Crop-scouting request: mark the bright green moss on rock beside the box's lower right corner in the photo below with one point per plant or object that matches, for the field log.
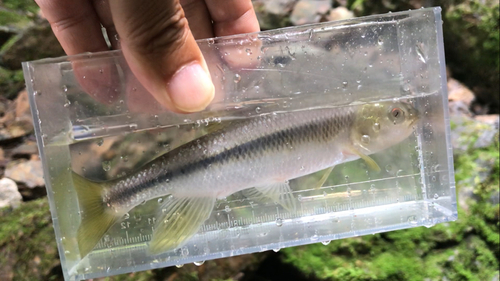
(467, 249)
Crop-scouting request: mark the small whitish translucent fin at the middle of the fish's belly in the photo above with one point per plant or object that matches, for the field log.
(278, 192)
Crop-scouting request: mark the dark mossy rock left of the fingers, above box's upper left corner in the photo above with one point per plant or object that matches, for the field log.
(35, 42)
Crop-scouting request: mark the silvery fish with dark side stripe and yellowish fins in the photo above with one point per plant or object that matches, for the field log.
(257, 155)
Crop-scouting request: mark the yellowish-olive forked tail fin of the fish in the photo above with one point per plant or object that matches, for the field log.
(97, 217)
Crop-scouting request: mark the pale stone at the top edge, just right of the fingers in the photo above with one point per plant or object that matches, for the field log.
(309, 11)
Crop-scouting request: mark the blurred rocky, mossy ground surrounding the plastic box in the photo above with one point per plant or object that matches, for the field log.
(467, 249)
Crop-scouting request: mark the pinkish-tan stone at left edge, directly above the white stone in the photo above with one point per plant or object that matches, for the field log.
(30, 172)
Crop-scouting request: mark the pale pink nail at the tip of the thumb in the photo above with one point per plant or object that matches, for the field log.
(191, 88)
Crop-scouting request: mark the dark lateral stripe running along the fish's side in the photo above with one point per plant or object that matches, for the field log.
(310, 132)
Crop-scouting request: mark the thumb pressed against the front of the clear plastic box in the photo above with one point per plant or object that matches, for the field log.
(162, 53)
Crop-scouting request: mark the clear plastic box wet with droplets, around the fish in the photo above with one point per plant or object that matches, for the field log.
(88, 107)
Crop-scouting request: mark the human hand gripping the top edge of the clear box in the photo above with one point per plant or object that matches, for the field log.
(157, 39)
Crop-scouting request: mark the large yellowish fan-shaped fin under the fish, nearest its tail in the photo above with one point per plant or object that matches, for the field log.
(178, 220)
